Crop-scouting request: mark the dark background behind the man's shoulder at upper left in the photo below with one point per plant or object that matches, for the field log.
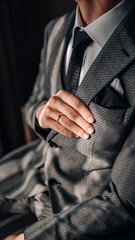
(22, 23)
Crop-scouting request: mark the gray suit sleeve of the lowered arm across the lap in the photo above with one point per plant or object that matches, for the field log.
(101, 216)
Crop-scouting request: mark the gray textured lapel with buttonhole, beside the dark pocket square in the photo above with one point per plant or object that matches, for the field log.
(115, 56)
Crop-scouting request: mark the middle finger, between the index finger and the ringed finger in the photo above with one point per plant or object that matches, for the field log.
(70, 113)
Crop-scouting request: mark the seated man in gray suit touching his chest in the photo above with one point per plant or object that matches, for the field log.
(81, 182)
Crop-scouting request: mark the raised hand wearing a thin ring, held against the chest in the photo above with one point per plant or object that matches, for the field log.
(75, 117)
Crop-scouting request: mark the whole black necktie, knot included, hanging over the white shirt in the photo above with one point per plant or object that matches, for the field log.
(80, 43)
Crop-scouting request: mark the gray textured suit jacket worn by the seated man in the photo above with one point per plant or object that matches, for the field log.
(91, 183)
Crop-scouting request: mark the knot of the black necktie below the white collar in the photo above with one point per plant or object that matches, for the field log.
(81, 39)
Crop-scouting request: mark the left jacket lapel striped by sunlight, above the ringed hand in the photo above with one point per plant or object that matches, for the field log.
(58, 48)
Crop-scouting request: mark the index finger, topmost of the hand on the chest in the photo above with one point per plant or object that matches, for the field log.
(77, 104)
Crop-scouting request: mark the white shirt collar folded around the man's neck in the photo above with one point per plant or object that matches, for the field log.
(102, 28)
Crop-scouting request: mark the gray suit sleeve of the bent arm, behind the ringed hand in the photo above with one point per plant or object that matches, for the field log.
(41, 91)
